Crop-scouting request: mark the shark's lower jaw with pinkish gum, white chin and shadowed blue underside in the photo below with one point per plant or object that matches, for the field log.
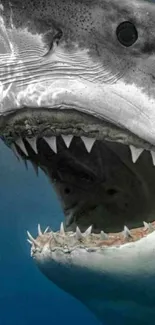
(114, 282)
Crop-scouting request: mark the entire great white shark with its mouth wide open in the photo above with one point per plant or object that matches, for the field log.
(77, 99)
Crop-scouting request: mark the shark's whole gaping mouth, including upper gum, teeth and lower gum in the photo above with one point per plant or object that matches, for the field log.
(104, 176)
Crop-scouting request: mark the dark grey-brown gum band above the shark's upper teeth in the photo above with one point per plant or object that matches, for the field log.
(64, 119)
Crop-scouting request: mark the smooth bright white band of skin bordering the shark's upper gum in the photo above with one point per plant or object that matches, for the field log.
(126, 110)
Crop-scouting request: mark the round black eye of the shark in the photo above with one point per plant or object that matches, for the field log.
(127, 33)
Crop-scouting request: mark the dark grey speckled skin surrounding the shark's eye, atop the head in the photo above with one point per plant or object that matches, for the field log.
(91, 25)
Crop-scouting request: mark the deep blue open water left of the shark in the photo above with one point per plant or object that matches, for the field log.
(26, 296)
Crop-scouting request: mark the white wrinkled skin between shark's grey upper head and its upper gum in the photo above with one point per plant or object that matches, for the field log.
(44, 82)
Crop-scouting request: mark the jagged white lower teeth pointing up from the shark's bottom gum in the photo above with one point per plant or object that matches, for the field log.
(78, 235)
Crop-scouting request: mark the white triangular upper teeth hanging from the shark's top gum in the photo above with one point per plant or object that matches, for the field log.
(88, 142)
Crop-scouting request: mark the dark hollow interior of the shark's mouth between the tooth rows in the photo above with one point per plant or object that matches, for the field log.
(103, 188)
